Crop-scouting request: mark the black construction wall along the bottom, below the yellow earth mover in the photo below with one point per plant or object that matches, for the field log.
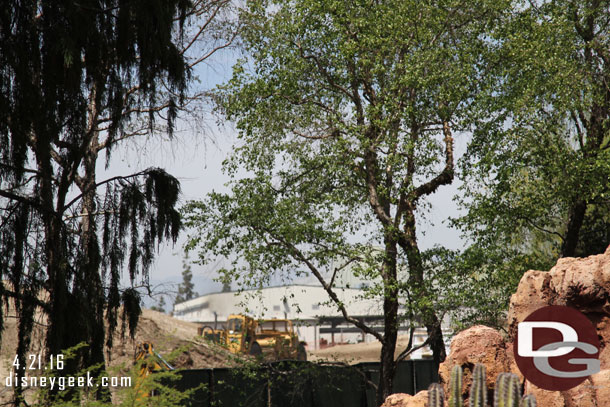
(300, 384)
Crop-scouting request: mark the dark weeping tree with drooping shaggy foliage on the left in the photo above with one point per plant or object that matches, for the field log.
(76, 79)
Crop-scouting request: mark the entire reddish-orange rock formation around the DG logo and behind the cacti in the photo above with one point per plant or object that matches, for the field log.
(583, 284)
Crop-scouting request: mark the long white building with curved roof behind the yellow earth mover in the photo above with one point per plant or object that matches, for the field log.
(319, 322)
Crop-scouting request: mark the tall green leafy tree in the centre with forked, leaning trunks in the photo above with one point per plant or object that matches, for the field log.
(347, 120)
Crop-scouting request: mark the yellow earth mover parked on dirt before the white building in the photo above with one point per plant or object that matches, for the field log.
(271, 338)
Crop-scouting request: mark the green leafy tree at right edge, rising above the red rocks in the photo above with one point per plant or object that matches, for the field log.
(538, 169)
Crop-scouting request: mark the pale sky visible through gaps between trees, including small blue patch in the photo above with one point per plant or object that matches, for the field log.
(195, 157)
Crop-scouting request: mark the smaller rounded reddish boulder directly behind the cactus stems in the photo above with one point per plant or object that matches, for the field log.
(478, 344)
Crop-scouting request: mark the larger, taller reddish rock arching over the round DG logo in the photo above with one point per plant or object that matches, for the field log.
(583, 284)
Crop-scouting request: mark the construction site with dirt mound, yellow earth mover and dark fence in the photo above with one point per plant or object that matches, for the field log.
(214, 361)
